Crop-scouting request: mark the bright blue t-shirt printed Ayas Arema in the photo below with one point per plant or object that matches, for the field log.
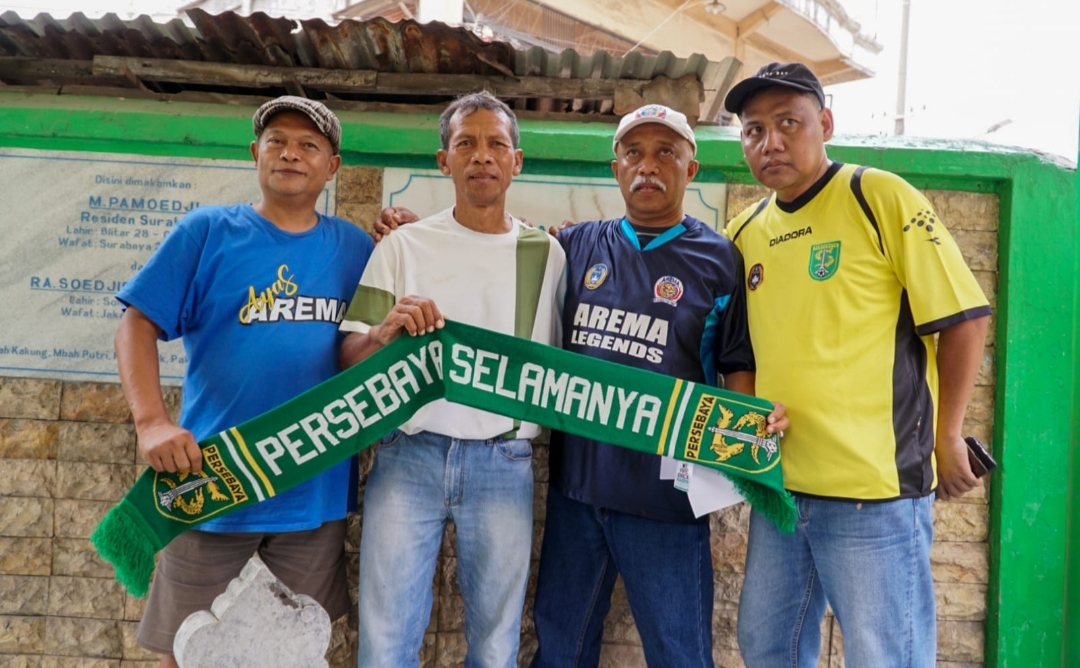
(259, 310)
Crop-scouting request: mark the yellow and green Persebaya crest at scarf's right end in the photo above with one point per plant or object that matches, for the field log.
(713, 428)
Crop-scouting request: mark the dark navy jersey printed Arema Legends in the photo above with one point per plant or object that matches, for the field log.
(677, 307)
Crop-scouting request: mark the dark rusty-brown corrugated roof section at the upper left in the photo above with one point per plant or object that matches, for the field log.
(255, 40)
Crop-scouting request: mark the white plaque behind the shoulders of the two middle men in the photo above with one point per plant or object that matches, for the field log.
(545, 200)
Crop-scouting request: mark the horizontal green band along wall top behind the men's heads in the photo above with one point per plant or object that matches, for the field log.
(64, 122)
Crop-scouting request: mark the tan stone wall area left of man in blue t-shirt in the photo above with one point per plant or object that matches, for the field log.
(69, 454)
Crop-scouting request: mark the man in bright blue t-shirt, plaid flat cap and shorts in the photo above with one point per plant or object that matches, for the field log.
(256, 292)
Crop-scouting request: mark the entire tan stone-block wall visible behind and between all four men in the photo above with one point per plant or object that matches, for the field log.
(67, 453)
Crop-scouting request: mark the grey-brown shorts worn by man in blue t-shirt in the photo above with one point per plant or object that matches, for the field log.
(198, 566)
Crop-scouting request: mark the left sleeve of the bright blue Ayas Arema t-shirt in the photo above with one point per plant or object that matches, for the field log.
(165, 289)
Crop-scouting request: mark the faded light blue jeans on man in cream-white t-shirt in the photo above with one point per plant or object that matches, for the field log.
(417, 484)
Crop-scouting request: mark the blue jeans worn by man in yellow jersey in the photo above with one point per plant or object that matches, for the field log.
(871, 562)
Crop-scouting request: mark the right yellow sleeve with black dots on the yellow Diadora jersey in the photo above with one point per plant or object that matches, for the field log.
(941, 289)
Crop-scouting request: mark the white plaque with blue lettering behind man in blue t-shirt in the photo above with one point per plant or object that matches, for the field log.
(75, 228)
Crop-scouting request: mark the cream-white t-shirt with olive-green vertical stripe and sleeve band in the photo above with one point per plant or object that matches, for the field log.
(478, 279)
